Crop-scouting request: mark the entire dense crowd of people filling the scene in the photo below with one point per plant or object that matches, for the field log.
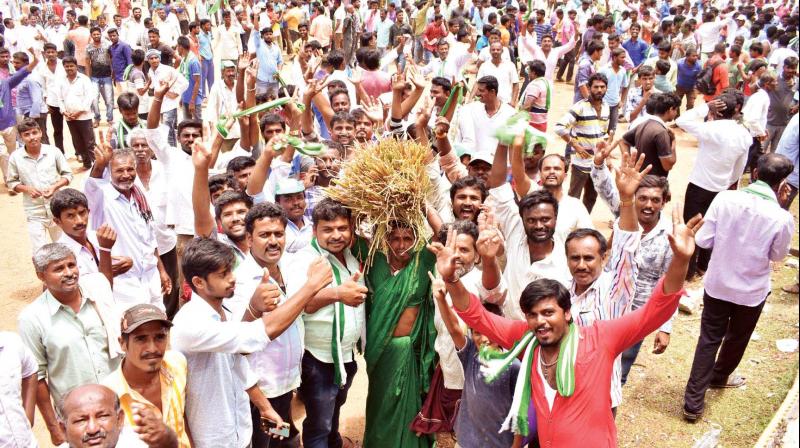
(198, 279)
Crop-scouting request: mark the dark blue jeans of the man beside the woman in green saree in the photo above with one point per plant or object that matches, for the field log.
(323, 399)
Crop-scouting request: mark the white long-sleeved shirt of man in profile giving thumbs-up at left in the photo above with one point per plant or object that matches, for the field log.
(218, 372)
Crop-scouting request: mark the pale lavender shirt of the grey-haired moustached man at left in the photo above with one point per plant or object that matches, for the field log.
(135, 236)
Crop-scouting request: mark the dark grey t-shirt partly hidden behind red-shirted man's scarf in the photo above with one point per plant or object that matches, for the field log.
(483, 406)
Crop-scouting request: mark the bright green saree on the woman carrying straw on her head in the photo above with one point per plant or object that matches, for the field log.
(399, 368)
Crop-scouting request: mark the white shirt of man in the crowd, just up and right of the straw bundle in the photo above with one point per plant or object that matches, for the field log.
(477, 128)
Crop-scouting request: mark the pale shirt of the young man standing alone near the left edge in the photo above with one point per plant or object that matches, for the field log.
(40, 173)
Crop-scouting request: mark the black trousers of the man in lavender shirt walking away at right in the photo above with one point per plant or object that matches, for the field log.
(726, 324)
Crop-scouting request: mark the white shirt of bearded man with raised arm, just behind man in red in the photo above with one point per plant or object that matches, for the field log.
(519, 273)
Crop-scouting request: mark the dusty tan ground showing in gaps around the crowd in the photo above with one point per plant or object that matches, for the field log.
(650, 416)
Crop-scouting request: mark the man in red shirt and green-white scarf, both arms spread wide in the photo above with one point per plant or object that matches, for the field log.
(581, 411)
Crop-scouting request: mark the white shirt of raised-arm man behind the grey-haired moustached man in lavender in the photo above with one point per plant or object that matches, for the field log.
(179, 172)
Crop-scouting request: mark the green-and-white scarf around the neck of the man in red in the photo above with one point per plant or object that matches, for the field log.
(498, 362)
